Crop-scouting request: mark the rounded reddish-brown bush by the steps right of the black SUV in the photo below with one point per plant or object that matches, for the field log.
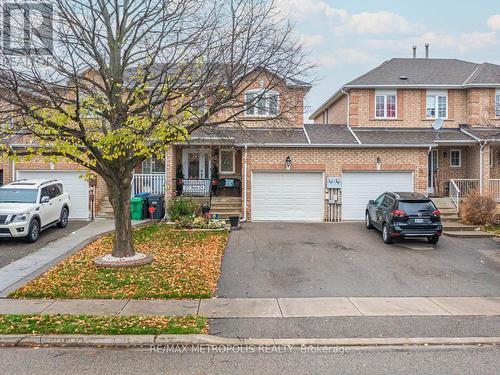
(478, 210)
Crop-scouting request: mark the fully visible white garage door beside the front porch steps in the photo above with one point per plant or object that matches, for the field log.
(282, 196)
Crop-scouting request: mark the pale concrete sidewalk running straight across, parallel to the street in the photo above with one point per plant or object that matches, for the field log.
(264, 307)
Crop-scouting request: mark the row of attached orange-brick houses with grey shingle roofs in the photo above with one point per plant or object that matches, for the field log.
(373, 135)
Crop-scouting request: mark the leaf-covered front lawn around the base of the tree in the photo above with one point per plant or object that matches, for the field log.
(186, 265)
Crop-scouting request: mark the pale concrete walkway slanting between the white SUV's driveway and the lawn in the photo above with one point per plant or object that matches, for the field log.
(23, 270)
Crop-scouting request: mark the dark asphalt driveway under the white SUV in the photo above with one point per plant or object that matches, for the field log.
(14, 249)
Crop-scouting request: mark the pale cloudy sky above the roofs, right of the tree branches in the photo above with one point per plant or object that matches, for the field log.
(348, 38)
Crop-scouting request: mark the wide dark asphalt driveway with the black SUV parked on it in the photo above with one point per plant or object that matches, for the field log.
(332, 260)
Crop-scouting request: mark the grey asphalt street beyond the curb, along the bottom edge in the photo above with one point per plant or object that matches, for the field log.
(450, 360)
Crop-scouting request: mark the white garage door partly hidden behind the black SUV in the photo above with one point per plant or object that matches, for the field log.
(359, 187)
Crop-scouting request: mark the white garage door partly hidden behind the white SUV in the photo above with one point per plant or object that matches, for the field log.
(77, 188)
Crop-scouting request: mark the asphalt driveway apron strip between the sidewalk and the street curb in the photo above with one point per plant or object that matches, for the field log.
(359, 326)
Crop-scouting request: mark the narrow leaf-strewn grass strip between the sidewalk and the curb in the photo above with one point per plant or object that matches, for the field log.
(100, 325)
